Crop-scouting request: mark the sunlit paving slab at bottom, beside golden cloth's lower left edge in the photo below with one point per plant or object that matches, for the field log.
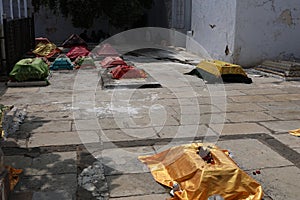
(134, 185)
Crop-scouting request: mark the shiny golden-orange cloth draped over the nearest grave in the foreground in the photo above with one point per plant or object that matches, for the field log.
(200, 180)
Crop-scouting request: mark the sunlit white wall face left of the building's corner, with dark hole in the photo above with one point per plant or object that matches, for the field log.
(213, 26)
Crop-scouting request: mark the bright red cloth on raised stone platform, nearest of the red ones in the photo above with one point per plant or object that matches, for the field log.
(124, 71)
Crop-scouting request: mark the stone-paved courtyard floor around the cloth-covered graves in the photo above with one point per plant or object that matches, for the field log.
(69, 128)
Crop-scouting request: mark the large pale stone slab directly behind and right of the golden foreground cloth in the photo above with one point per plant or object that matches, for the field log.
(250, 154)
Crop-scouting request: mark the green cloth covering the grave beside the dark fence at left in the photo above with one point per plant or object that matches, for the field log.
(30, 69)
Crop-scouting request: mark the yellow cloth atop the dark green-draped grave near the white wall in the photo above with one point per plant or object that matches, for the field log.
(219, 68)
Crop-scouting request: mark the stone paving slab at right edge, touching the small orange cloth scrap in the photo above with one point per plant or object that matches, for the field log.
(281, 126)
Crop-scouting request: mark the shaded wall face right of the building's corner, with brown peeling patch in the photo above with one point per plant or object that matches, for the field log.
(267, 29)
